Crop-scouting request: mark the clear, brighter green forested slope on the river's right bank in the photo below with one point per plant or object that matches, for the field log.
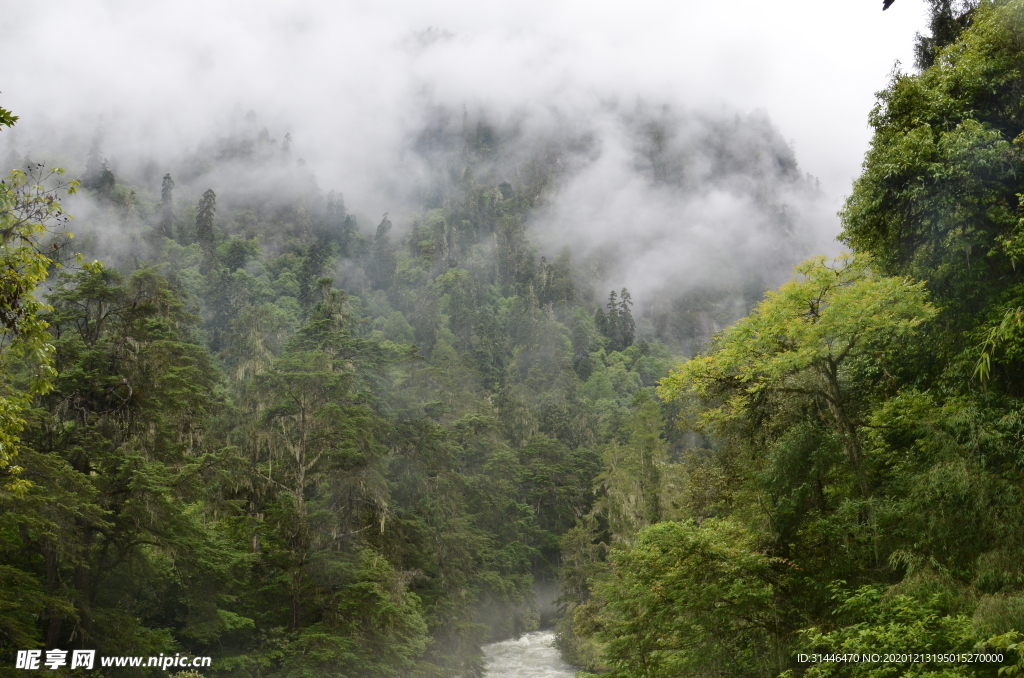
(863, 490)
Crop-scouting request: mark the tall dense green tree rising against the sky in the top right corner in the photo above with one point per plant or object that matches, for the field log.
(938, 200)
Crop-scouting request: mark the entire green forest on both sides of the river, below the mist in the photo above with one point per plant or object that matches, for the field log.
(242, 419)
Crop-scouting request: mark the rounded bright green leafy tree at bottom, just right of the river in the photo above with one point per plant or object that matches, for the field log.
(690, 600)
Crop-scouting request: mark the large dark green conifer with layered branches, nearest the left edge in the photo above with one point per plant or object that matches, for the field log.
(122, 444)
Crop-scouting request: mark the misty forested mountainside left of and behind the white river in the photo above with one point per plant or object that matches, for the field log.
(261, 428)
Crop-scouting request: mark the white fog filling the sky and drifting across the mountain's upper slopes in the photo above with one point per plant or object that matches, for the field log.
(783, 90)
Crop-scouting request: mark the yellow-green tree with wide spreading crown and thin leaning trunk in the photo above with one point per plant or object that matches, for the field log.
(838, 319)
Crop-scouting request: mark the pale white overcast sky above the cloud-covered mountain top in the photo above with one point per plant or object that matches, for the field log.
(342, 76)
